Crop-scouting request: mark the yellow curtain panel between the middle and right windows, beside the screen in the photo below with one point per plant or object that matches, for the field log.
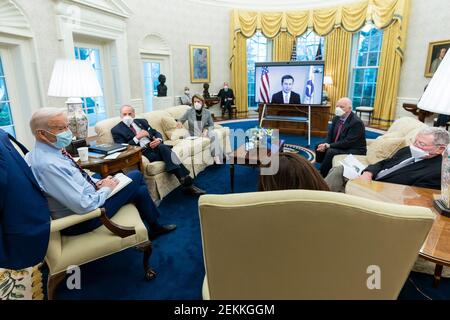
(337, 64)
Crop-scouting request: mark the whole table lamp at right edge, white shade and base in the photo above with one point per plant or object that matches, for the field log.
(436, 98)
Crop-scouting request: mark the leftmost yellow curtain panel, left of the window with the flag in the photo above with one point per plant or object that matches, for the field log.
(239, 75)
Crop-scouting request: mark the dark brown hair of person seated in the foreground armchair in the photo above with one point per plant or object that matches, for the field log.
(295, 172)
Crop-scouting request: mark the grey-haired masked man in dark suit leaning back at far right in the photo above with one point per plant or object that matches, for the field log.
(418, 165)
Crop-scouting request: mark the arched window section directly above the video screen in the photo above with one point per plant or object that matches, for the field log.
(310, 47)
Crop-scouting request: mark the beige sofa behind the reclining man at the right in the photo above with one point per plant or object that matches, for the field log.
(401, 134)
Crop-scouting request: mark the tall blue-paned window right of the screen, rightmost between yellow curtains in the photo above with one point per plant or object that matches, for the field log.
(365, 62)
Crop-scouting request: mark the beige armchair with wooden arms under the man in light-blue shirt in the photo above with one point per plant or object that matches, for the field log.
(124, 230)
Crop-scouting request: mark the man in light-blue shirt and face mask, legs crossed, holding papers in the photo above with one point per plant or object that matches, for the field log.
(70, 190)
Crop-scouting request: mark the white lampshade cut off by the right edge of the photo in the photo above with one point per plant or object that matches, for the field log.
(436, 97)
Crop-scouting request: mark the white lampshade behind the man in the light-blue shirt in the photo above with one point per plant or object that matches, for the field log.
(74, 78)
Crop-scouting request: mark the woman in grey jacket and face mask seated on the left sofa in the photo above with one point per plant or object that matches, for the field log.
(201, 124)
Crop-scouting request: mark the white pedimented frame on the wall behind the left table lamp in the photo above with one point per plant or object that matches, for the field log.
(102, 22)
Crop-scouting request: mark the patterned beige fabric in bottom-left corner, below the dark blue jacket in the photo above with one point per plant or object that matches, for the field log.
(23, 284)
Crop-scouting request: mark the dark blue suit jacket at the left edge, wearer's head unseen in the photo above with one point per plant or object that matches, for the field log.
(24, 213)
